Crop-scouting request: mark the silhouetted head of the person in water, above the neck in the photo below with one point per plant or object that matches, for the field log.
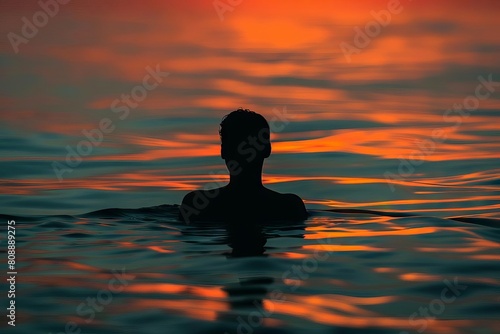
(245, 137)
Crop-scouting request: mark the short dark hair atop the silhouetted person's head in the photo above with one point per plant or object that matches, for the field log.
(237, 126)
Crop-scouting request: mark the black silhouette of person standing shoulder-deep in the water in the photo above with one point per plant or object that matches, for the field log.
(245, 143)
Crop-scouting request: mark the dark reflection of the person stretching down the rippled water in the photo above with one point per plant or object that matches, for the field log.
(253, 278)
